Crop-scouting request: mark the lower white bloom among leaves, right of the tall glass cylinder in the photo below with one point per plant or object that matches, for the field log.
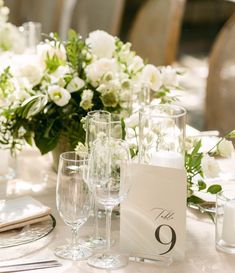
(210, 166)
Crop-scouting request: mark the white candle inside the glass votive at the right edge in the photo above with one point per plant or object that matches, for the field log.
(228, 230)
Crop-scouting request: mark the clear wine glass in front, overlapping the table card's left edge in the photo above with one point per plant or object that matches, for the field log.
(110, 179)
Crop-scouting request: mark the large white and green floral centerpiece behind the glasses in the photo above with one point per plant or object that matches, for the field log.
(47, 95)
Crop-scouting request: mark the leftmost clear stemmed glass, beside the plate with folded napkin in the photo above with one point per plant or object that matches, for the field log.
(74, 201)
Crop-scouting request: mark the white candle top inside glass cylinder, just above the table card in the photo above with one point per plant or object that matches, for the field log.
(167, 159)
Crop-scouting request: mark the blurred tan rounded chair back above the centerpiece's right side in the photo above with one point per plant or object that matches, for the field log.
(156, 29)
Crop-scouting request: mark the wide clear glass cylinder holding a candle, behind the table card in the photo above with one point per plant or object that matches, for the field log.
(162, 135)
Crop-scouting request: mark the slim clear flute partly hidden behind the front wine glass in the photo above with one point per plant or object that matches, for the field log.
(97, 126)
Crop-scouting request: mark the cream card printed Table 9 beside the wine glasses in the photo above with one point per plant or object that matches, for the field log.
(153, 217)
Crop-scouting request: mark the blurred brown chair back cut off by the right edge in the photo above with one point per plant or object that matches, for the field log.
(220, 96)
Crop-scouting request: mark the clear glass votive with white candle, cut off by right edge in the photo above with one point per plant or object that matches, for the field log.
(225, 221)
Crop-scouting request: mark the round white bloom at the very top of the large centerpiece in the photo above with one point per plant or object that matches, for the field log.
(101, 43)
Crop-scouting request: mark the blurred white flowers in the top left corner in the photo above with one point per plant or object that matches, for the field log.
(10, 37)
